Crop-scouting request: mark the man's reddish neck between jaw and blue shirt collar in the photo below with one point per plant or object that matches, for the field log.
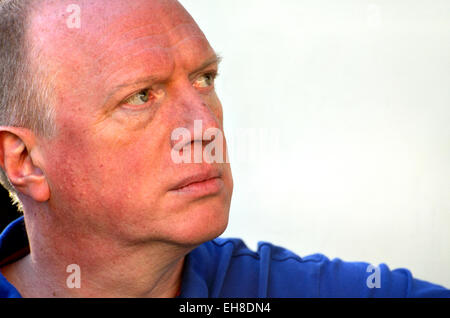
(107, 268)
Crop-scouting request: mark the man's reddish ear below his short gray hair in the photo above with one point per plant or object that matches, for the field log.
(18, 157)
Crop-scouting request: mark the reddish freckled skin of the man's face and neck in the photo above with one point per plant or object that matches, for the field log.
(109, 168)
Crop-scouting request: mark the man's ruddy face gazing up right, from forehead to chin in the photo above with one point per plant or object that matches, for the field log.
(133, 73)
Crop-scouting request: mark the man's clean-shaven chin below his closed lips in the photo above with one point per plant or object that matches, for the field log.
(186, 223)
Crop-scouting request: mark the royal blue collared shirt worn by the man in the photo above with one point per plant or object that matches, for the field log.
(227, 268)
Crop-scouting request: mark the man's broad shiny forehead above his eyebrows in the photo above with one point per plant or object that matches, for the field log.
(115, 34)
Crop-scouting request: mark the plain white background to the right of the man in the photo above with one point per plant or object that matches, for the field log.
(337, 115)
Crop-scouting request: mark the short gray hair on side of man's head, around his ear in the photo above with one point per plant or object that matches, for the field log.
(24, 98)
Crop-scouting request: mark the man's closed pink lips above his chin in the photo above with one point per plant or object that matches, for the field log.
(200, 184)
